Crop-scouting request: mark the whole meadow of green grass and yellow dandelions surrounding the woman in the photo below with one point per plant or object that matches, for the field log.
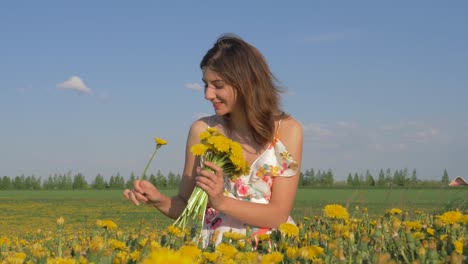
(333, 226)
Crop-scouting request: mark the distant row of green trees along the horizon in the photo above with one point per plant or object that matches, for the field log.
(308, 178)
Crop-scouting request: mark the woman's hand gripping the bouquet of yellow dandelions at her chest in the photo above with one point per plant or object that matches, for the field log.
(212, 184)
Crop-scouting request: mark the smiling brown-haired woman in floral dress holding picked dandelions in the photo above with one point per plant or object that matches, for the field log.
(245, 98)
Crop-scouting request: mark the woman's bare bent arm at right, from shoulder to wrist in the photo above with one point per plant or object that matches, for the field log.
(283, 190)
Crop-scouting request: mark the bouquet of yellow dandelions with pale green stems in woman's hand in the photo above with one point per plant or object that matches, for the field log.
(222, 151)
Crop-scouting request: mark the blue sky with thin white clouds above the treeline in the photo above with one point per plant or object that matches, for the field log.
(86, 85)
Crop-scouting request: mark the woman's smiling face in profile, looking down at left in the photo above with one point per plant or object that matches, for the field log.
(218, 92)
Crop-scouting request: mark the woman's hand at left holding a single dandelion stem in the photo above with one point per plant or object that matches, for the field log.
(143, 191)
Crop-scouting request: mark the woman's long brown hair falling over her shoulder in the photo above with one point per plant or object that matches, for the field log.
(244, 68)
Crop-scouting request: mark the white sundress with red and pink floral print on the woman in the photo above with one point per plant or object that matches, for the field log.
(275, 161)
